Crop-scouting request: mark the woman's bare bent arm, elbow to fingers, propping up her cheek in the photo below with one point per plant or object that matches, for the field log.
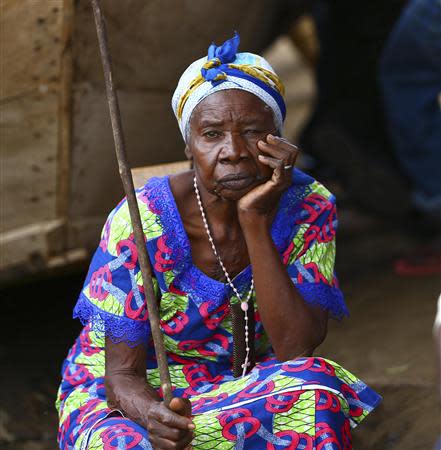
(294, 327)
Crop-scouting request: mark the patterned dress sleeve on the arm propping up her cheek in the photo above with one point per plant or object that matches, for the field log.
(310, 255)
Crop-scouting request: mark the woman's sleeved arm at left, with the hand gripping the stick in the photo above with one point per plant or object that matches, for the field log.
(125, 365)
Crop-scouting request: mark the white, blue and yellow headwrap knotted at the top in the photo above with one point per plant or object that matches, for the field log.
(223, 68)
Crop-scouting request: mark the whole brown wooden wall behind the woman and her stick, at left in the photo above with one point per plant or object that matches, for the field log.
(59, 177)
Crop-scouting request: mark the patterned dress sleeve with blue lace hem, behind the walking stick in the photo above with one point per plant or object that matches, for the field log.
(112, 300)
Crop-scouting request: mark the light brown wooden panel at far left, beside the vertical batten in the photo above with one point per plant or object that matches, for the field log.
(30, 62)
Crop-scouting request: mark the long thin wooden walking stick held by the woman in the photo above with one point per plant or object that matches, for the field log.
(127, 181)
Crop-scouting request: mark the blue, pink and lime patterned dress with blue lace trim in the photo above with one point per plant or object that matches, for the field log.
(306, 403)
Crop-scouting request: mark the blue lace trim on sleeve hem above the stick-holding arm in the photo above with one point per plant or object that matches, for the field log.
(117, 328)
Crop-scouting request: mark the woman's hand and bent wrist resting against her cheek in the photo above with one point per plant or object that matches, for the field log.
(279, 155)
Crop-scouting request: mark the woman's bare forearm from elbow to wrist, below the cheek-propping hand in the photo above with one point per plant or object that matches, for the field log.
(294, 327)
